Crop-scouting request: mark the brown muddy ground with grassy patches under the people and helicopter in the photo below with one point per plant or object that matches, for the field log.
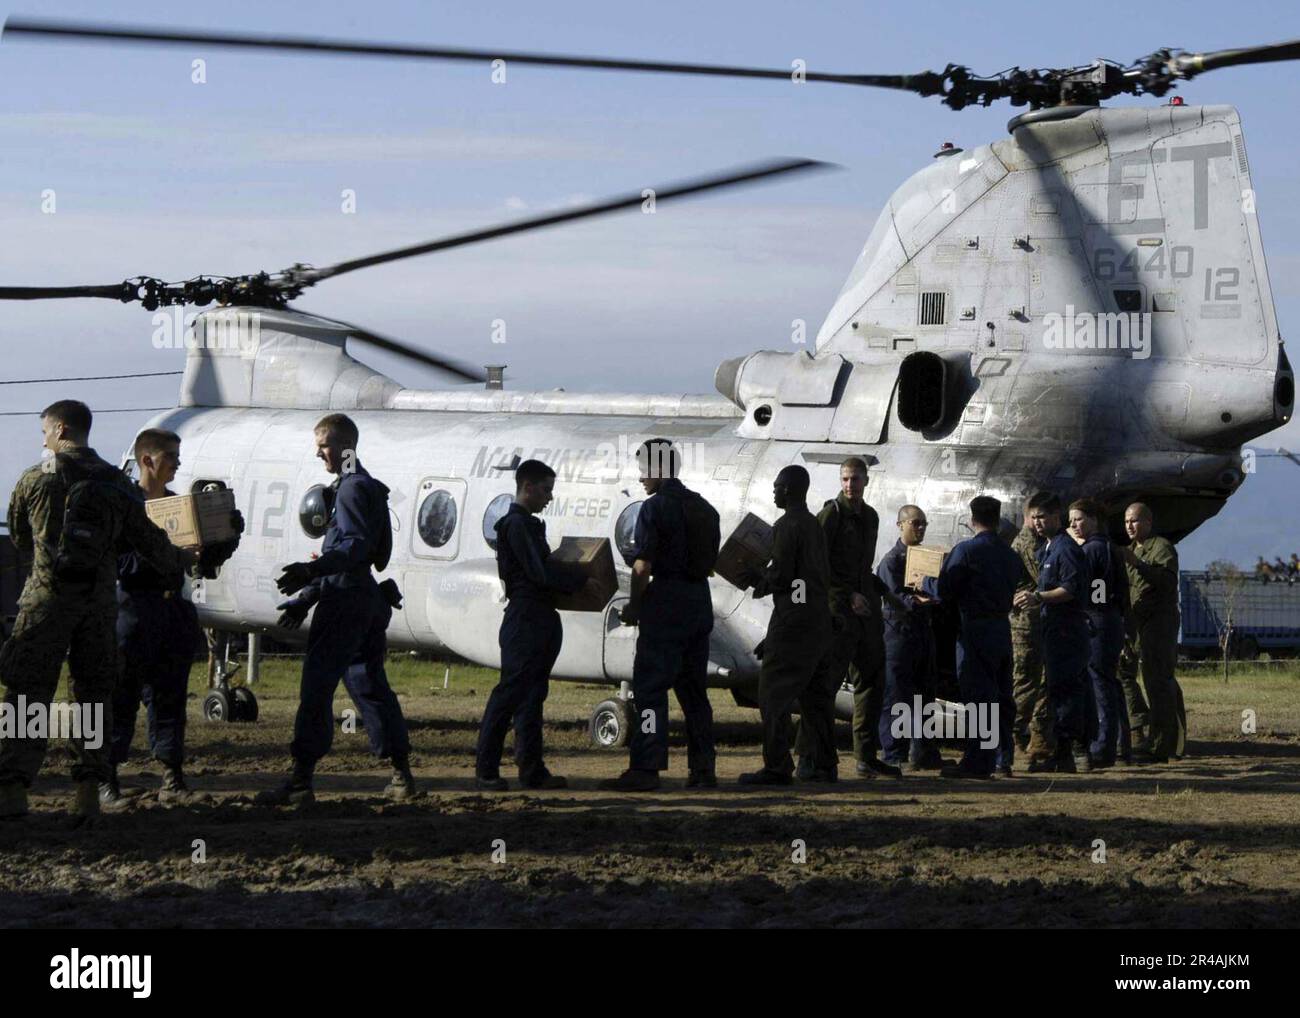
(1210, 842)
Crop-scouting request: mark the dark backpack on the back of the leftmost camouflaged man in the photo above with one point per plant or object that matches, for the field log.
(96, 508)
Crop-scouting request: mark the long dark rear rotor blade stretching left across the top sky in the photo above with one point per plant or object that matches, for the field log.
(51, 29)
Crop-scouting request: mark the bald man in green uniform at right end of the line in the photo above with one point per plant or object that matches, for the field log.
(1154, 590)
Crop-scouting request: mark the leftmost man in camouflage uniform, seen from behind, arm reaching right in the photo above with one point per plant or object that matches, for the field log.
(70, 614)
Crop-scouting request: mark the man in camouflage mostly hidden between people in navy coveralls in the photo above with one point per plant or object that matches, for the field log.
(1033, 712)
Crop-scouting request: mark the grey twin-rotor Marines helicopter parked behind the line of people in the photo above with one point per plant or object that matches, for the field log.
(1081, 306)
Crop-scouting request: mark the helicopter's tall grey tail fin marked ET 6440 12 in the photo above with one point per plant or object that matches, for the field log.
(1093, 241)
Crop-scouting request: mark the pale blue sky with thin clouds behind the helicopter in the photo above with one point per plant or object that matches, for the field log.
(155, 175)
